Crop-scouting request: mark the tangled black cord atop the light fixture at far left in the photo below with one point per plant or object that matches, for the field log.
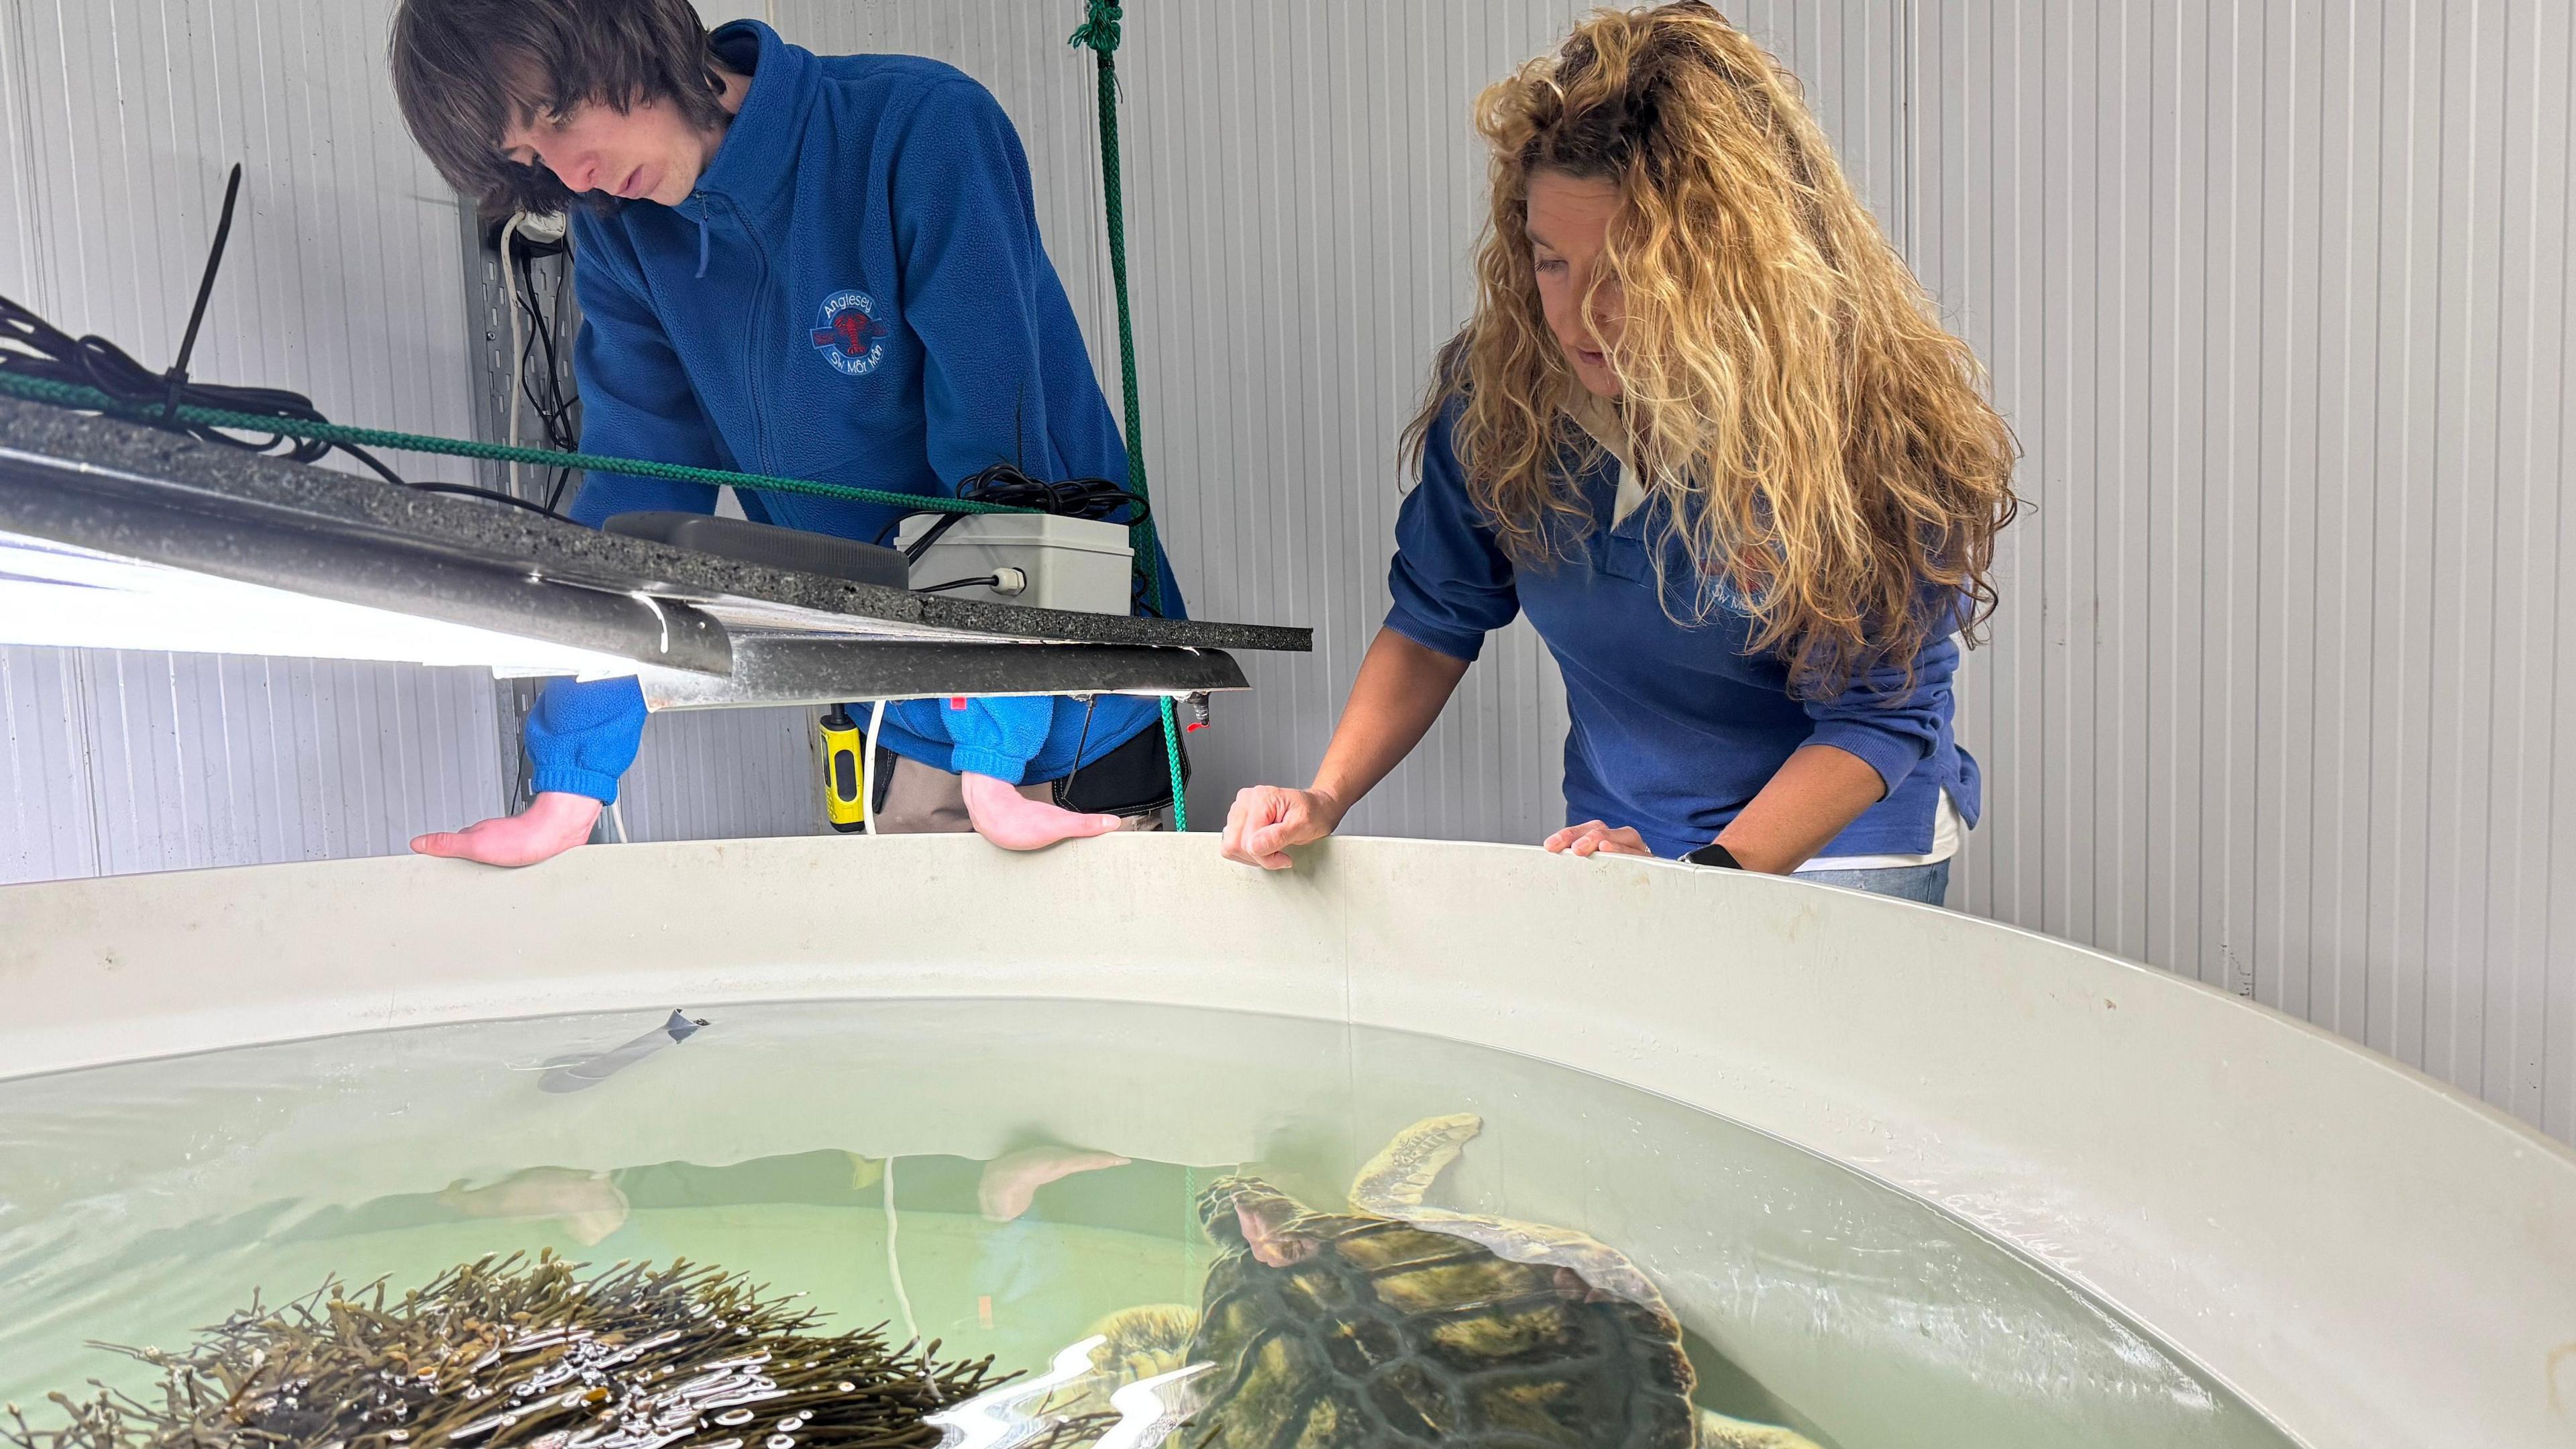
(32, 347)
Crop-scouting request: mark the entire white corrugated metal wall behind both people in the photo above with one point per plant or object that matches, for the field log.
(2273, 290)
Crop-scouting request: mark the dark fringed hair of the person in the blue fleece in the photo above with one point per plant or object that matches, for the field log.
(470, 71)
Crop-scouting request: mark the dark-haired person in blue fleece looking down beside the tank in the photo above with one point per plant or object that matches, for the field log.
(790, 264)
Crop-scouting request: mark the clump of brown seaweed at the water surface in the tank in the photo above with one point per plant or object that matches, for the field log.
(532, 1355)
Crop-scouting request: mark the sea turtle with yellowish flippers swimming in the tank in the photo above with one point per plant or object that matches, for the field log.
(1408, 1327)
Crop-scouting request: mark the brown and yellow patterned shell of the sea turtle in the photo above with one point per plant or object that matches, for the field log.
(1392, 1337)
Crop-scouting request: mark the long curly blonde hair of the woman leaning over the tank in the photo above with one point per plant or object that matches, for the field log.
(1817, 440)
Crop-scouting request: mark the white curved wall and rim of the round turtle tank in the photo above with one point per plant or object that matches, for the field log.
(2358, 1252)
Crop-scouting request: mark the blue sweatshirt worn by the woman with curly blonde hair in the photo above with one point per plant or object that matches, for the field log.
(1673, 726)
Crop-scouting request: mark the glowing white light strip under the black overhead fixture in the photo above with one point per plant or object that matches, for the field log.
(55, 594)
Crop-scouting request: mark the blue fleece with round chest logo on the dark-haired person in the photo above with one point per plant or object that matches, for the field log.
(857, 293)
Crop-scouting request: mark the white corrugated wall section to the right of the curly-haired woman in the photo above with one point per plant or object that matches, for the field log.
(2278, 300)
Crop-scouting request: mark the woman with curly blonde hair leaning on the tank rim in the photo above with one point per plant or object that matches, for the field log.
(1712, 437)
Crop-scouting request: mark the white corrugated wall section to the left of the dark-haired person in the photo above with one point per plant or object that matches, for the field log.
(120, 120)
